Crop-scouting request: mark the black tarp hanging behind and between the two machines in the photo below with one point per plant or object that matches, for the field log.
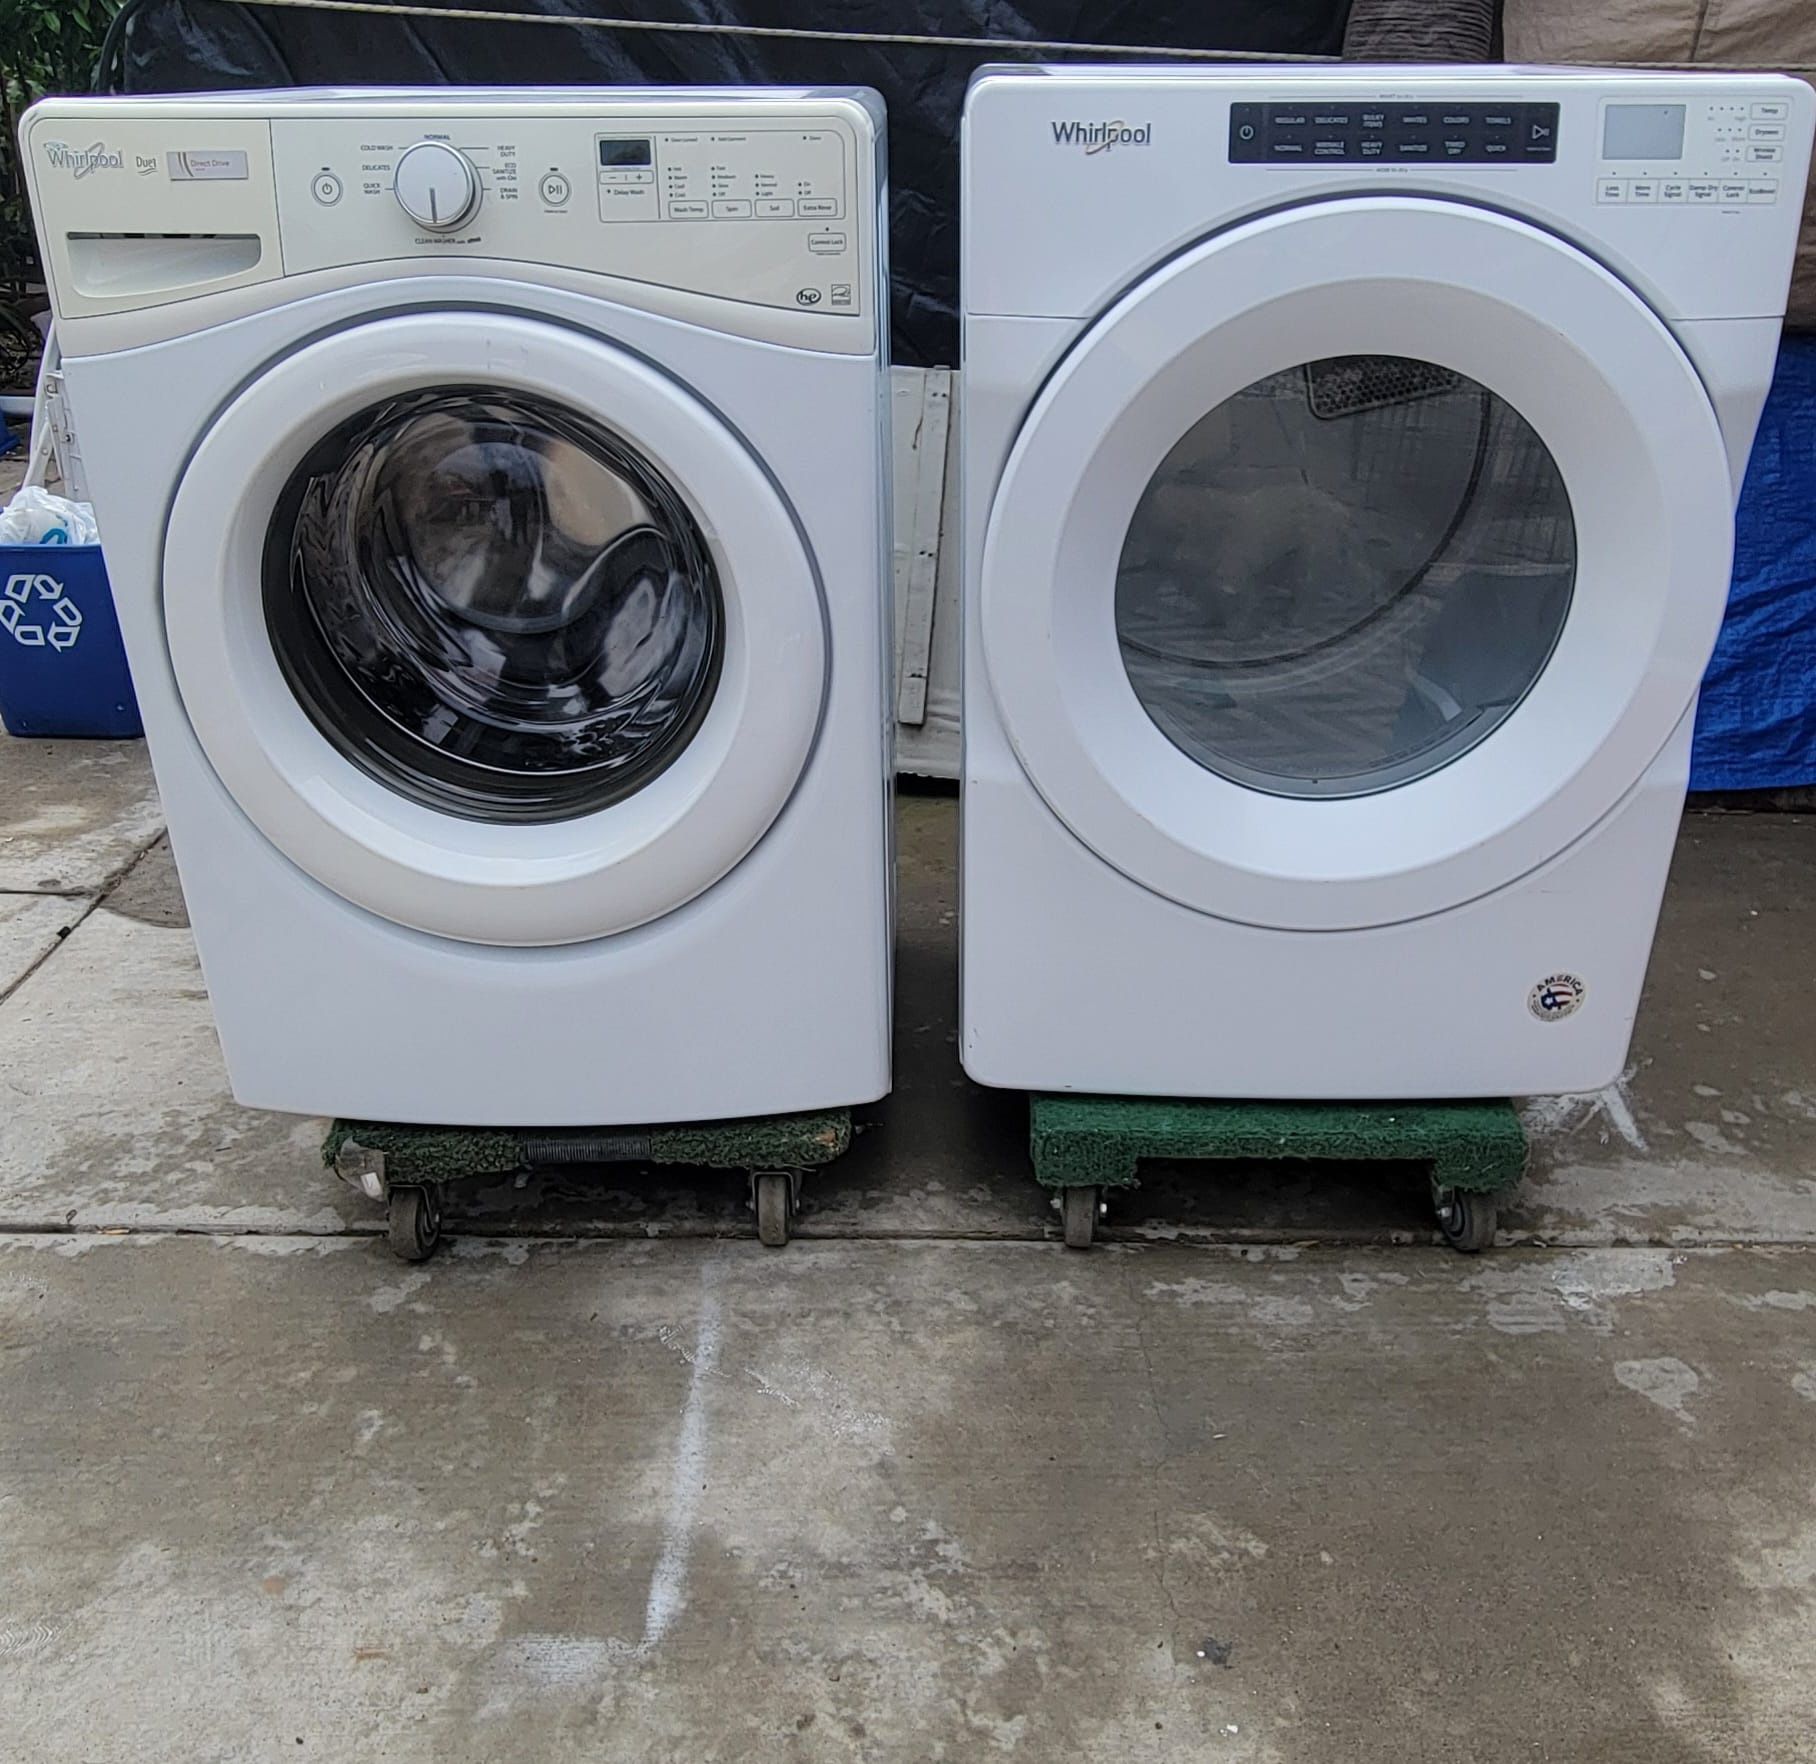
(208, 45)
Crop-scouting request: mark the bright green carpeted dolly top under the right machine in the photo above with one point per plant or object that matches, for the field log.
(1081, 1140)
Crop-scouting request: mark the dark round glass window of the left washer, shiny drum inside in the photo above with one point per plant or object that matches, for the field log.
(493, 606)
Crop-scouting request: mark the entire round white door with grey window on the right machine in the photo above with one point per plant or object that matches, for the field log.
(1356, 564)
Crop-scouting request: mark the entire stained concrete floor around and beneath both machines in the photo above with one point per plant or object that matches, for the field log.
(1268, 1478)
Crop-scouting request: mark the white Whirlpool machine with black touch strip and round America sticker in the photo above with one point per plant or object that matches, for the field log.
(1350, 466)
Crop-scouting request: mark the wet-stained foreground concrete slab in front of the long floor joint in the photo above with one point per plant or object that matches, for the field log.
(927, 1503)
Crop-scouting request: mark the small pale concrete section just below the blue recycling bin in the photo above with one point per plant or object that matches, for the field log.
(74, 815)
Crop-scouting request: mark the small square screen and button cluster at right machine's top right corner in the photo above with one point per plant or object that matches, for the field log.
(1726, 154)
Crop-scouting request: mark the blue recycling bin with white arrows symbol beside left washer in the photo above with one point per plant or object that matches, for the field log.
(63, 666)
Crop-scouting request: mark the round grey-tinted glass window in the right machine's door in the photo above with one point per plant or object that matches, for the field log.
(1345, 577)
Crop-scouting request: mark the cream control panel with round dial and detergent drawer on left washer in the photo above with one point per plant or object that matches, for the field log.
(753, 213)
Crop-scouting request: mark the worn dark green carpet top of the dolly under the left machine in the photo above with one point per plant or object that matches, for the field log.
(440, 1155)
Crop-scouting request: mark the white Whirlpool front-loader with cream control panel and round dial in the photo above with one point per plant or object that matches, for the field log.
(493, 488)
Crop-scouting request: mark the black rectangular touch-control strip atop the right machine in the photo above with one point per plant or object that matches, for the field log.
(1319, 134)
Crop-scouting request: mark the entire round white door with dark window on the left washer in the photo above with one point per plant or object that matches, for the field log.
(491, 628)
